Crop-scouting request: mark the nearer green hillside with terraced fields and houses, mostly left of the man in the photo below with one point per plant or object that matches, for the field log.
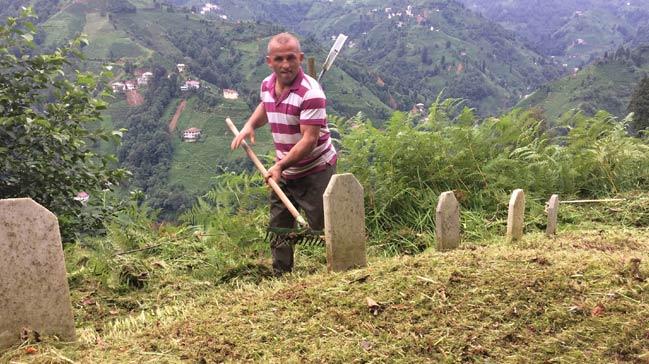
(134, 37)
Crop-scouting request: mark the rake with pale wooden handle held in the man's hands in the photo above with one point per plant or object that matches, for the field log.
(303, 234)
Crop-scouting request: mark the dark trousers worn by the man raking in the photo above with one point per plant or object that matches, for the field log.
(305, 193)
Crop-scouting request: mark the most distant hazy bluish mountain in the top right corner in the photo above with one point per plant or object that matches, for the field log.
(575, 32)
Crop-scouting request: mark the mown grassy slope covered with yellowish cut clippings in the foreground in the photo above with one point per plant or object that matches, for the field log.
(580, 296)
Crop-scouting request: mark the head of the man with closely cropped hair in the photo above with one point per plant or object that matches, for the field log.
(284, 57)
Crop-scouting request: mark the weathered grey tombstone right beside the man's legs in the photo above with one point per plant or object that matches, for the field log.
(344, 212)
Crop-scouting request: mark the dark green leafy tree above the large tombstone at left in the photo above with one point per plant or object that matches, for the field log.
(48, 121)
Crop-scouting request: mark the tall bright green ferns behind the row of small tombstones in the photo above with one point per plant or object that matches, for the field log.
(406, 166)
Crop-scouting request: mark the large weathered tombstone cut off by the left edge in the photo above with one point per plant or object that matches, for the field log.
(34, 293)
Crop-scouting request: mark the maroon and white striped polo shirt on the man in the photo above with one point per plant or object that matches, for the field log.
(303, 103)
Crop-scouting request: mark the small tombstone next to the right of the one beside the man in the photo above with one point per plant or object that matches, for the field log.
(447, 222)
